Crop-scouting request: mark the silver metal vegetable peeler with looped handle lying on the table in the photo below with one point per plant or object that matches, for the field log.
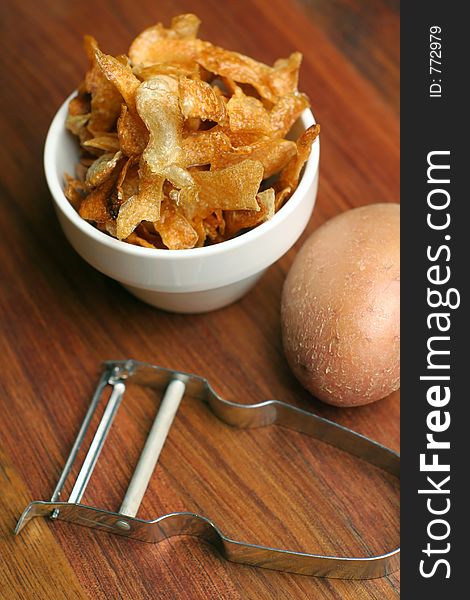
(176, 384)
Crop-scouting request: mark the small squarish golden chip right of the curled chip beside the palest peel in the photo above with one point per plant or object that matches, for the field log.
(248, 114)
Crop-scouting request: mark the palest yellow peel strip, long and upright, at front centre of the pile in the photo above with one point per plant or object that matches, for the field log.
(158, 106)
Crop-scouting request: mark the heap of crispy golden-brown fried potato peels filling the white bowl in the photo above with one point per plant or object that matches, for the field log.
(182, 142)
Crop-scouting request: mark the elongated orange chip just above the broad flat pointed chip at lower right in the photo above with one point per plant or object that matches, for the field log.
(273, 153)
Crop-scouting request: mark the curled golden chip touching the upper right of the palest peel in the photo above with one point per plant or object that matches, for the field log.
(199, 99)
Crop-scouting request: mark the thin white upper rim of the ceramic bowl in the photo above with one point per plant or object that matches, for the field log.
(56, 188)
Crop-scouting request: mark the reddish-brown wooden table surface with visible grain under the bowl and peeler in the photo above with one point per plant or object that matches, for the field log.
(60, 319)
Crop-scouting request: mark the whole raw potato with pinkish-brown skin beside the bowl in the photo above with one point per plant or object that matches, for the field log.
(340, 311)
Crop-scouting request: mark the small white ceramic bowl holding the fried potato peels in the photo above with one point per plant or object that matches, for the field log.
(186, 281)
